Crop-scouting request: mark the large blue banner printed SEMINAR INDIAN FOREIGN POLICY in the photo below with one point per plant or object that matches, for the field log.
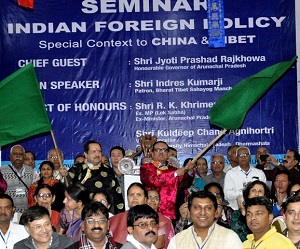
(113, 70)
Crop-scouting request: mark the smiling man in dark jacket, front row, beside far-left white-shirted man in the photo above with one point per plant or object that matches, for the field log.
(37, 223)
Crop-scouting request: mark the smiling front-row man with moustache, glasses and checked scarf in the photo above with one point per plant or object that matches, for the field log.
(95, 227)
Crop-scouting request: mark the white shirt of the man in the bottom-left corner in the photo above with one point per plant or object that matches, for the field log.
(14, 234)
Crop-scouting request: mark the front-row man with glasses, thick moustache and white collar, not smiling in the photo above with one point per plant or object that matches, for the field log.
(142, 227)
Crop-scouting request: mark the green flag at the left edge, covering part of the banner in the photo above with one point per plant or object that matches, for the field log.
(22, 109)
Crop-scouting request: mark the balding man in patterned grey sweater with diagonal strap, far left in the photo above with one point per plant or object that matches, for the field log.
(18, 177)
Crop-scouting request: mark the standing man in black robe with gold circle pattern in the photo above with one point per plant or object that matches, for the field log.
(95, 175)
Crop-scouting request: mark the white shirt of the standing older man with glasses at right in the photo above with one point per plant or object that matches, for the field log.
(235, 181)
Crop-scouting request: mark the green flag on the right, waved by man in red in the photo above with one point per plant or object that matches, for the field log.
(230, 110)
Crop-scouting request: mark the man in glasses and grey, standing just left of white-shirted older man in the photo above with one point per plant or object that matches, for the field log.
(217, 163)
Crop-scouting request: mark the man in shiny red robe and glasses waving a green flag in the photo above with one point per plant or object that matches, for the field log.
(162, 176)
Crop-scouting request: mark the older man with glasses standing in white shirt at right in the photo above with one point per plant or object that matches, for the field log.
(238, 177)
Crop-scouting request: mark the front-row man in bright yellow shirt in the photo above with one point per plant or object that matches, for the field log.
(259, 218)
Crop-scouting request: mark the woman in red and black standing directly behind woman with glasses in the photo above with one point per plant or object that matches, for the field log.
(46, 172)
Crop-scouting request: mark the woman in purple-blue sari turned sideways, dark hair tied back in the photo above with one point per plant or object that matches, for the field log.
(76, 196)
